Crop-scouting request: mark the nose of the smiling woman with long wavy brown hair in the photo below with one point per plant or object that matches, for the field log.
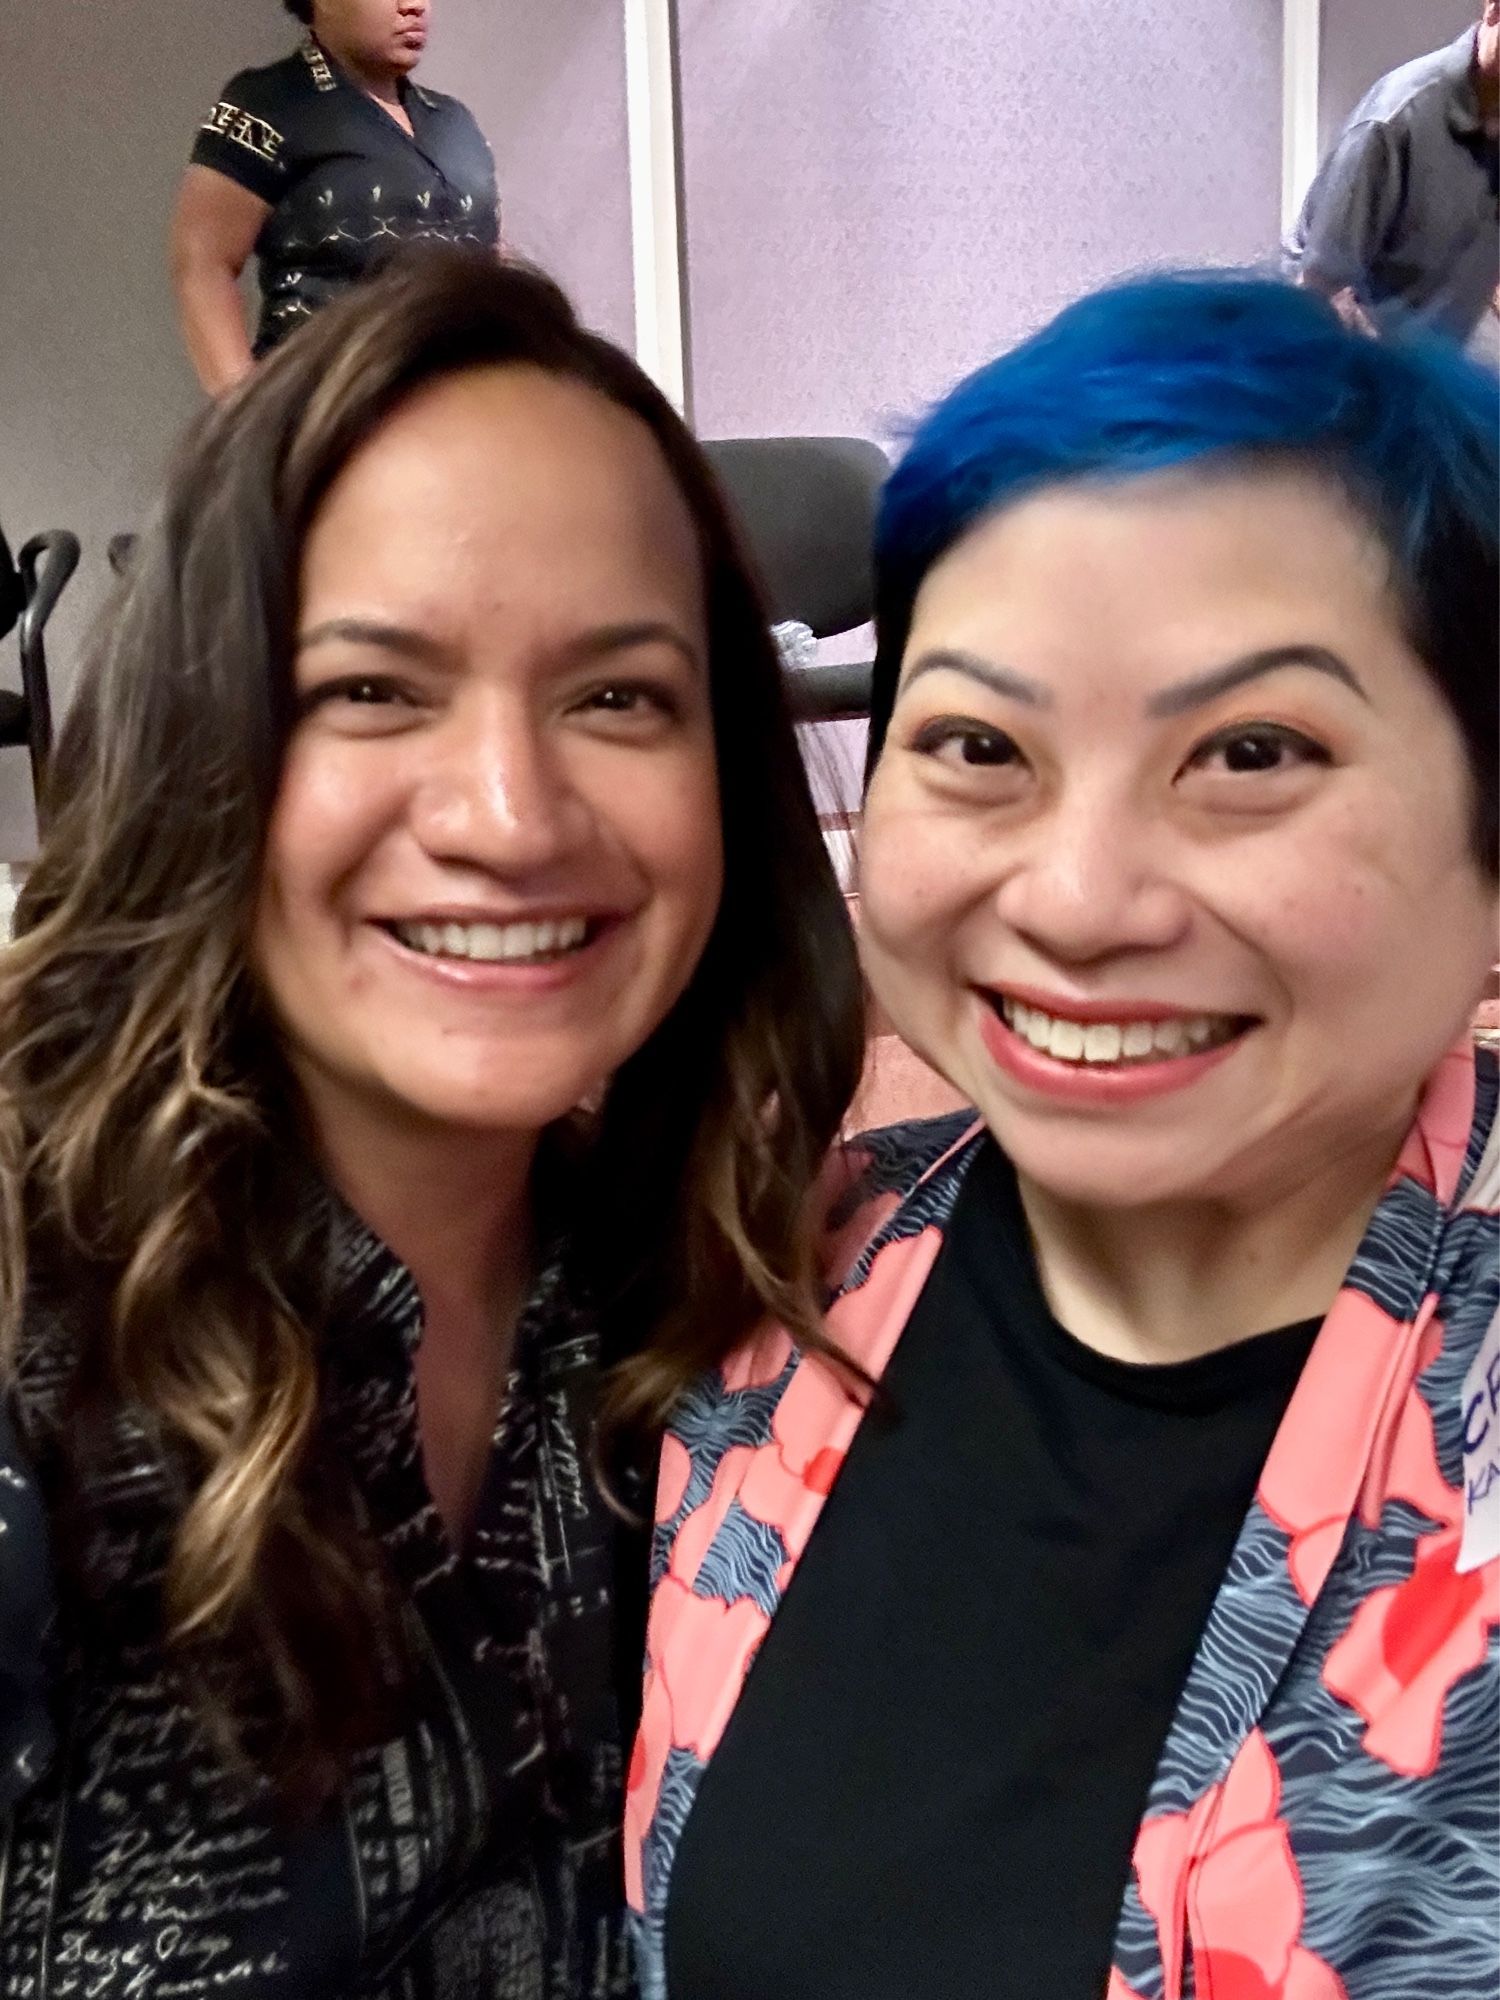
(497, 795)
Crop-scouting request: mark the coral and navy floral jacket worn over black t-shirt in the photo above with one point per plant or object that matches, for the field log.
(1323, 1823)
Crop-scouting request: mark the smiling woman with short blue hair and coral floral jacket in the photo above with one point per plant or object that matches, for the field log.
(1123, 1621)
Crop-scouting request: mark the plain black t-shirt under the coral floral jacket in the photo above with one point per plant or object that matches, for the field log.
(935, 1775)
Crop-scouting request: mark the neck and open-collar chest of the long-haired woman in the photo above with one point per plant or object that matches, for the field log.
(455, 1207)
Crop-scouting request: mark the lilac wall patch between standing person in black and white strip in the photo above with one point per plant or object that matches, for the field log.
(547, 83)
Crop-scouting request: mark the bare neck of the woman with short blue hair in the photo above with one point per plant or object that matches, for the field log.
(1183, 1279)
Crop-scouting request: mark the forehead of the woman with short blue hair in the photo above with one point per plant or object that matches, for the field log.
(1181, 561)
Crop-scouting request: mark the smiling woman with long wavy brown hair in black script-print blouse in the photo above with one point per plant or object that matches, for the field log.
(393, 823)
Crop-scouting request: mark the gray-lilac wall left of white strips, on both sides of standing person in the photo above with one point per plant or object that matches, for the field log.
(99, 101)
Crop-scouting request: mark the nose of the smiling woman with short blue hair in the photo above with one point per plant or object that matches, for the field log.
(1093, 883)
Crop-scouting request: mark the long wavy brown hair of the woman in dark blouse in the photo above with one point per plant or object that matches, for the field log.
(151, 1141)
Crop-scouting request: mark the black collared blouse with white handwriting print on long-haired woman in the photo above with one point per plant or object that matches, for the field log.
(475, 1855)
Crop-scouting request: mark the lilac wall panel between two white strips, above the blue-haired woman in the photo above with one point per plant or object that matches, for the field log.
(883, 193)
